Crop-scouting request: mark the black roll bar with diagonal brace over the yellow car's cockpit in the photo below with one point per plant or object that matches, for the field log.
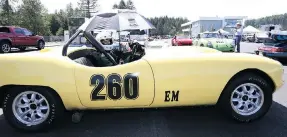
(93, 42)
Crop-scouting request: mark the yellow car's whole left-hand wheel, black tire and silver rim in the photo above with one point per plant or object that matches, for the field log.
(32, 109)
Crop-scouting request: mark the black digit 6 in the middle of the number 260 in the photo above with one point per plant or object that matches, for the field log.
(114, 86)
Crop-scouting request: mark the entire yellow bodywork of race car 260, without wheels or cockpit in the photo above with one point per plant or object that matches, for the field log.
(195, 75)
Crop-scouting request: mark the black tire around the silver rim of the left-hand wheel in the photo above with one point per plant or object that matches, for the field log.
(55, 105)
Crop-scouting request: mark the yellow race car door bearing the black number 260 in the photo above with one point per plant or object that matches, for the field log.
(127, 85)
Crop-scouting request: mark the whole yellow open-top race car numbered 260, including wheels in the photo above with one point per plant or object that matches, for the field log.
(36, 89)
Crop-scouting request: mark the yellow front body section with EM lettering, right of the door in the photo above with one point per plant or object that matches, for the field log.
(201, 77)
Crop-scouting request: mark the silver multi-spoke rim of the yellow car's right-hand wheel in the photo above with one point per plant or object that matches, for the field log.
(247, 99)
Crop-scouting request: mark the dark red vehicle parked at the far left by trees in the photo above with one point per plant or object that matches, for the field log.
(21, 38)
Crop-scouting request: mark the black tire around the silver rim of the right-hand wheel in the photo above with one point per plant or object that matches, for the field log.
(225, 98)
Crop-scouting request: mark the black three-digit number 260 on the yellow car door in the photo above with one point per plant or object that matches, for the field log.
(117, 87)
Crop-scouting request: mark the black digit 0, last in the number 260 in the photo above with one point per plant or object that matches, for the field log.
(131, 84)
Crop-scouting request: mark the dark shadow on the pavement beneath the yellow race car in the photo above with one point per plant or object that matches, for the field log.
(171, 122)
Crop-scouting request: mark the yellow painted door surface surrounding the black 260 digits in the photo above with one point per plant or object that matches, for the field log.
(141, 68)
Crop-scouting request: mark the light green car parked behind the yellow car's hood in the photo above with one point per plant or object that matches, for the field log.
(216, 41)
